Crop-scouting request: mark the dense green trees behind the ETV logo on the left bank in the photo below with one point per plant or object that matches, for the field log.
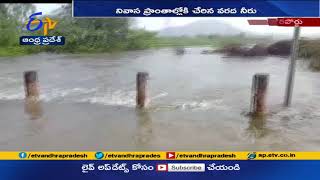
(83, 35)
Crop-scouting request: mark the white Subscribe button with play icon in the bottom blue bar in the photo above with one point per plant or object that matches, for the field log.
(184, 167)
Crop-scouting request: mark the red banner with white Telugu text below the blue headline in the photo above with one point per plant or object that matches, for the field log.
(288, 22)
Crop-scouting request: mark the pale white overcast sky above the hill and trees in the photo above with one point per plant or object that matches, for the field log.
(157, 23)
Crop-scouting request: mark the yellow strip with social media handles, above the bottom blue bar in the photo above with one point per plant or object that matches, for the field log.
(159, 155)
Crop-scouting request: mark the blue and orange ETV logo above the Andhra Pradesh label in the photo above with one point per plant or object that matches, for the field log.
(35, 24)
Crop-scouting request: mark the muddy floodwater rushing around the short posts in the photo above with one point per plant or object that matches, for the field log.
(198, 102)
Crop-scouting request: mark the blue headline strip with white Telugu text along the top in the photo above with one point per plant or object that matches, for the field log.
(196, 8)
